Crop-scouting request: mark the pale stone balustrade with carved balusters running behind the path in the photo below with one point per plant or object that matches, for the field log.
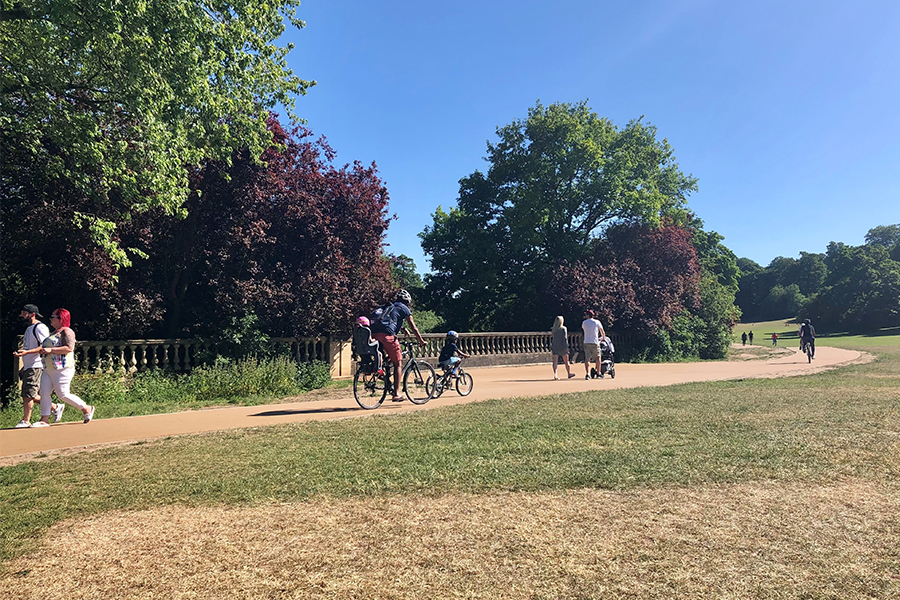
(182, 355)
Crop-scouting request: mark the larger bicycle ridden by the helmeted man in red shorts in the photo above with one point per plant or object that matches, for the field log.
(370, 387)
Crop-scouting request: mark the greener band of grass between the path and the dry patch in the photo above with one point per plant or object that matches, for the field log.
(819, 428)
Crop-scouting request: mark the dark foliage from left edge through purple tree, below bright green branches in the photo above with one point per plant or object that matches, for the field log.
(293, 245)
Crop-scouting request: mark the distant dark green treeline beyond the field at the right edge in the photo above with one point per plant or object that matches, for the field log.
(854, 288)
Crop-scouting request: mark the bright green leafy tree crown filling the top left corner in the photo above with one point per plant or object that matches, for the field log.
(114, 100)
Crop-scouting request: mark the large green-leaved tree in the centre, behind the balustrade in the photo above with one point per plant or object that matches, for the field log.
(557, 179)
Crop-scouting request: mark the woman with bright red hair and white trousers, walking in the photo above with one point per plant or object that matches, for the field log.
(59, 368)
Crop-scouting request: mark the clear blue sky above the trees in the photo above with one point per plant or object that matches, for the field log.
(786, 112)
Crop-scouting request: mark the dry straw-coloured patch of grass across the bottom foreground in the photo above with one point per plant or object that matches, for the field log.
(754, 540)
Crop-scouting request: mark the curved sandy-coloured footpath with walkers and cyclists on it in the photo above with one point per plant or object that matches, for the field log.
(495, 382)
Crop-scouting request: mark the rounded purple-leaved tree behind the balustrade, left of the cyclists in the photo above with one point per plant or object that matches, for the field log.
(295, 241)
